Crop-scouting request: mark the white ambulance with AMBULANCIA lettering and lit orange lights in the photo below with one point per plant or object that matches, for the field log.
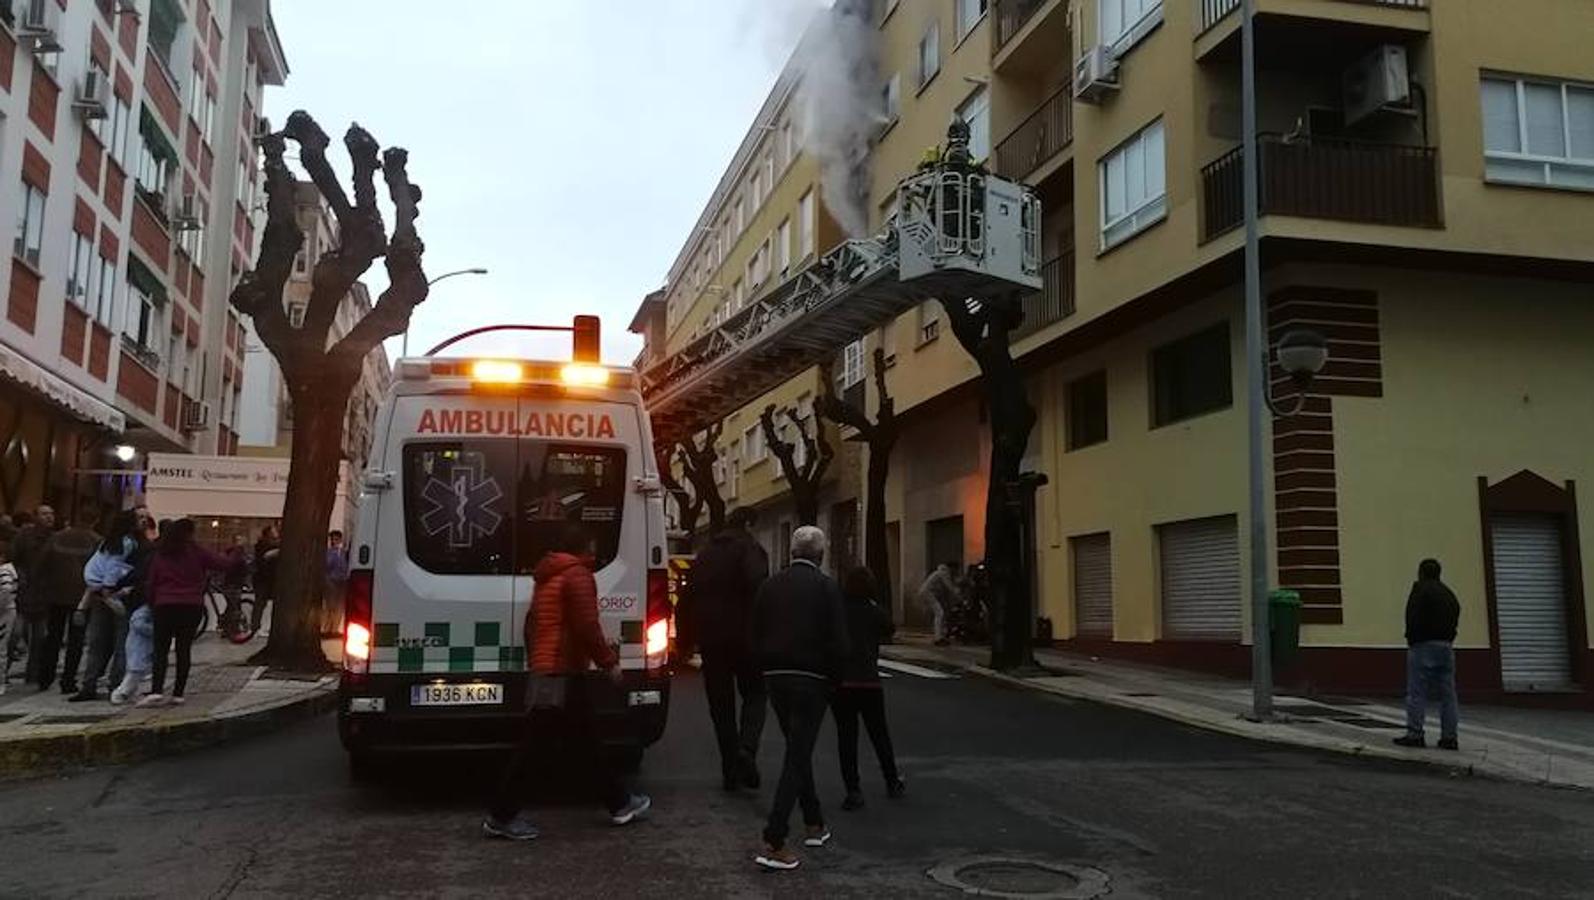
(476, 463)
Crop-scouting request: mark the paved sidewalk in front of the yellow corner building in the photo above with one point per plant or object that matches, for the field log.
(1536, 746)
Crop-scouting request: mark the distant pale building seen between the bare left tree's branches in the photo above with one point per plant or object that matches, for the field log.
(267, 418)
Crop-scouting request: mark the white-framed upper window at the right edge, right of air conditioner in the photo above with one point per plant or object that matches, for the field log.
(1539, 133)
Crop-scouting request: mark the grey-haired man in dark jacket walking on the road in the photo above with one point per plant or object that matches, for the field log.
(799, 633)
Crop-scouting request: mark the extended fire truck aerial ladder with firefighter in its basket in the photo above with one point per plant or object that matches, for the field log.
(959, 233)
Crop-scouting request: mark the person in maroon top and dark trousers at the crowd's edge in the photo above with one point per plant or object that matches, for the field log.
(178, 581)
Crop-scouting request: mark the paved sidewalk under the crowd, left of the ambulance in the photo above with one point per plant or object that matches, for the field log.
(227, 698)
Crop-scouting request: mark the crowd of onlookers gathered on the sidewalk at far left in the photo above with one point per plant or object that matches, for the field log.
(101, 605)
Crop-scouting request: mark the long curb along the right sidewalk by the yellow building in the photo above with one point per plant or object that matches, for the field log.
(1241, 729)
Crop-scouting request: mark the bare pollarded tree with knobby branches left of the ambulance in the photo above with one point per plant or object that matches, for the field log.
(318, 370)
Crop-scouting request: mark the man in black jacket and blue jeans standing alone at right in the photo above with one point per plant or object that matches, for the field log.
(1432, 614)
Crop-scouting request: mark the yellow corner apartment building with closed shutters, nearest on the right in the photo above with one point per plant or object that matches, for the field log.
(1426, 170)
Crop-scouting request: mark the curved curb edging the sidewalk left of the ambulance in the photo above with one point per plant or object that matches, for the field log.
(26, 757)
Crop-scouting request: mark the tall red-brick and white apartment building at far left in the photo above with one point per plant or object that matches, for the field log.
(127, 154)
